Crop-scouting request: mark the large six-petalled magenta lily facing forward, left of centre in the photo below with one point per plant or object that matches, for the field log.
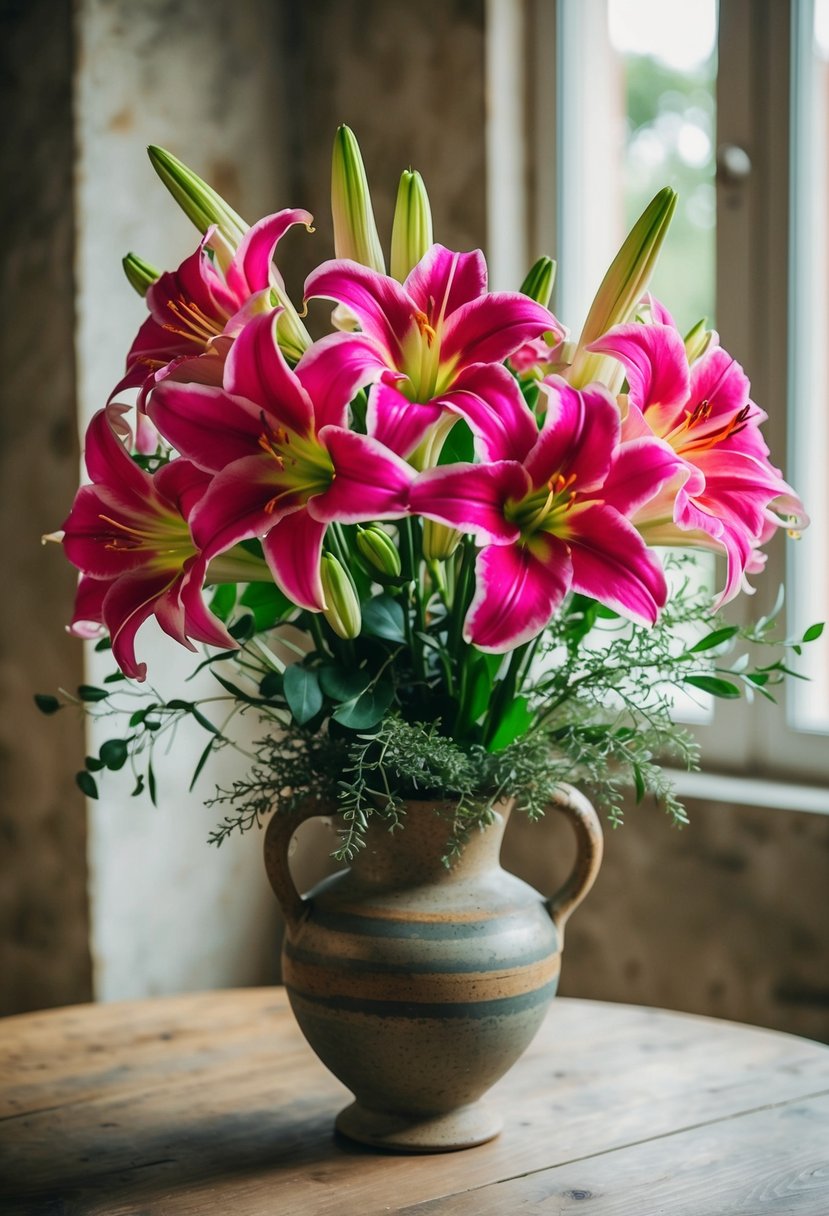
(286, 465)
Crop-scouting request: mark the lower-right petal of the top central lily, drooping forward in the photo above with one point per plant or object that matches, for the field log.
(490, 401)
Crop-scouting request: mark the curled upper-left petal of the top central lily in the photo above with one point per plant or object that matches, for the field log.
(384, 308)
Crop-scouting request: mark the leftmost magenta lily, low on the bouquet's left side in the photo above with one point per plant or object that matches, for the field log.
(129, 537)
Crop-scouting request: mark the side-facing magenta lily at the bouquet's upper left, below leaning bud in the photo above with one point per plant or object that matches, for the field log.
(194, 308)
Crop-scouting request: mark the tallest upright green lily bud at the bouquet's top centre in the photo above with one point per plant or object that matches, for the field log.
(356, 232)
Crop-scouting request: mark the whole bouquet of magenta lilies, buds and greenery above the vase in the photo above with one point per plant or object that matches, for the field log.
(439, 550)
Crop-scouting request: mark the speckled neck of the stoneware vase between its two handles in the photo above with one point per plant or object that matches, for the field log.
(415, 853)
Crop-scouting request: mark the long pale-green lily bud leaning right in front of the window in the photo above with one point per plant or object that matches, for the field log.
(621, 292)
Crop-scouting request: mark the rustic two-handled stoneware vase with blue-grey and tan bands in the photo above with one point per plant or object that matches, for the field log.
(421, 986)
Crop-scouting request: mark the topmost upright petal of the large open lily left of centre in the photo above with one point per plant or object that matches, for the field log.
(256, 369)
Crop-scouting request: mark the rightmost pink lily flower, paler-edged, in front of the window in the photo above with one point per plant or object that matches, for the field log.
(734, 498)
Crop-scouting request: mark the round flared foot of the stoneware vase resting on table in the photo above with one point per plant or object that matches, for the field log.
(448, 1133)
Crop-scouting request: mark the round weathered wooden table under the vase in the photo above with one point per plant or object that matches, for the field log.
(213, 1104)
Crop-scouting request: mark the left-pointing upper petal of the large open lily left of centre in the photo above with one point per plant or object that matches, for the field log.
(206, 424)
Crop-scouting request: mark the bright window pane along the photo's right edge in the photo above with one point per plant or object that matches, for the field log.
(809, 578)
